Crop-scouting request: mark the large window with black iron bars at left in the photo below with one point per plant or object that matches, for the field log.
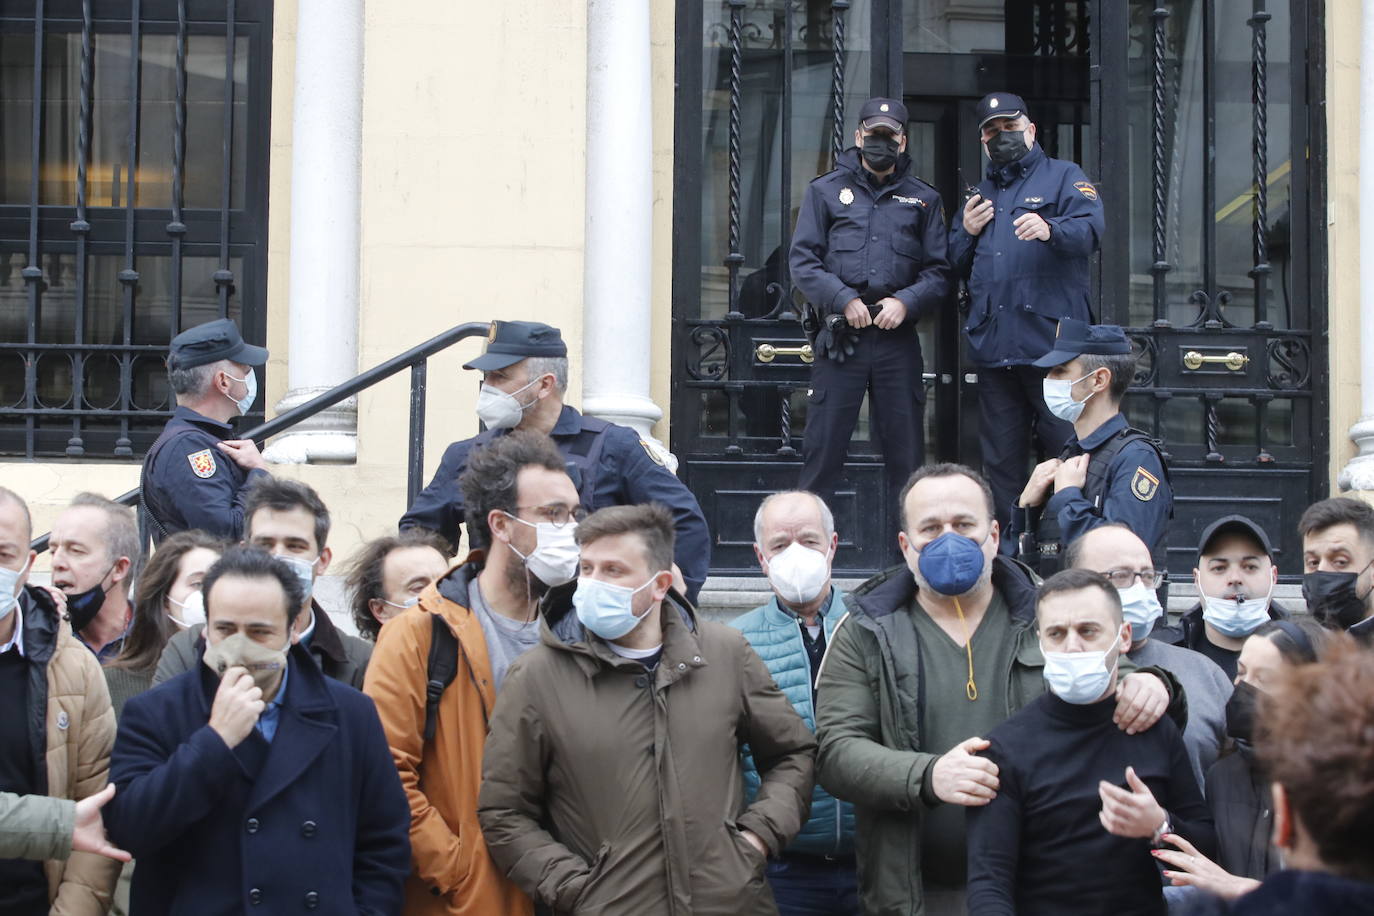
(134, 178)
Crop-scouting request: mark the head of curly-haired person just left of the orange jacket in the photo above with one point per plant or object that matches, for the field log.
(390, 573)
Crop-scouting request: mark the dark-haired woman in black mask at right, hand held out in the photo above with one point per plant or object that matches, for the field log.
(1237, 786)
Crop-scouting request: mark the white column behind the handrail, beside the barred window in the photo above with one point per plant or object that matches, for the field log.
(326, 157)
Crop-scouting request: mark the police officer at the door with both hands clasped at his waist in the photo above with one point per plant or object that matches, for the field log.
(869, 253)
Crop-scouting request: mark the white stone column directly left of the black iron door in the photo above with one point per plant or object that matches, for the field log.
(618, 306)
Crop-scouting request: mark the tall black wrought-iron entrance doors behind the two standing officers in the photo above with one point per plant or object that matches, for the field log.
(1202, 123)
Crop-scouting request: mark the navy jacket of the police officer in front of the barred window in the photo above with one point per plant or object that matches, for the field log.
(189, 483)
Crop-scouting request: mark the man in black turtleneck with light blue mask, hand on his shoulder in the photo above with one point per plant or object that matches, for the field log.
(1081, 801)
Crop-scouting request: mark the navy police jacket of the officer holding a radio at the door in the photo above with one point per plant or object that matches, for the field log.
(1020, 290)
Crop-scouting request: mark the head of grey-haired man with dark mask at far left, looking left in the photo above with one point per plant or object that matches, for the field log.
(95, 553)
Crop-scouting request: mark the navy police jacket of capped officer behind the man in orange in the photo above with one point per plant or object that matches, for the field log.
(611, 466)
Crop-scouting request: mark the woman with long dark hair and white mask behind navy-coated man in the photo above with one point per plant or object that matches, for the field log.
(167, 599)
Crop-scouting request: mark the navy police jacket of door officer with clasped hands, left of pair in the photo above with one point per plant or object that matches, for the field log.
(861, 241)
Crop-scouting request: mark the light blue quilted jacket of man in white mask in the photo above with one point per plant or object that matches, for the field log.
(777, 638)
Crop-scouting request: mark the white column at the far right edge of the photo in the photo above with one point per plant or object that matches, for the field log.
(1360, 473)
